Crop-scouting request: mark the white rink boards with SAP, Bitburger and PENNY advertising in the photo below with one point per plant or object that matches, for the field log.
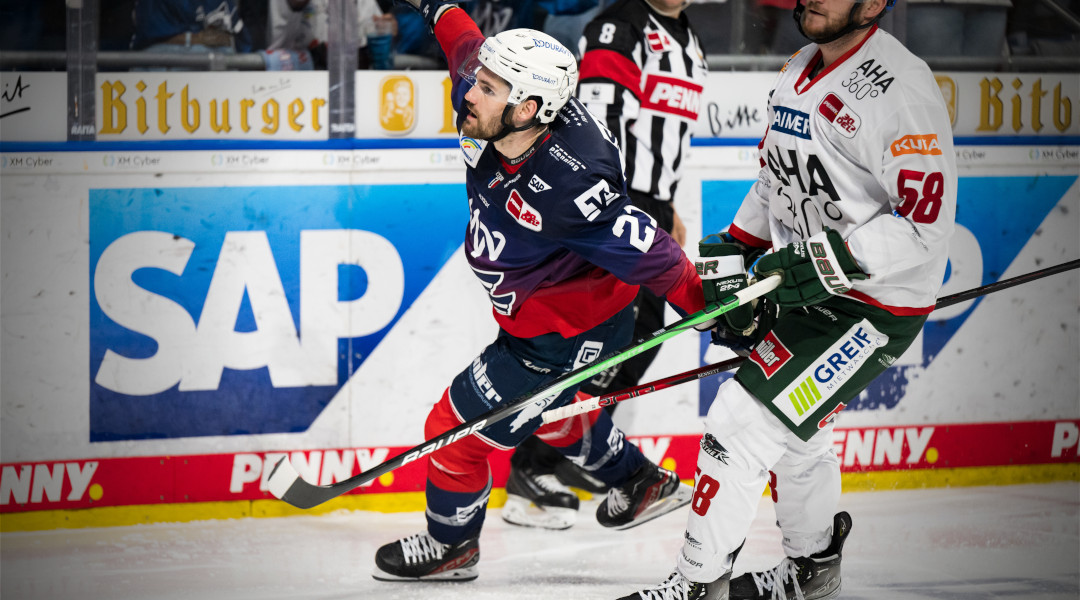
(174, 312)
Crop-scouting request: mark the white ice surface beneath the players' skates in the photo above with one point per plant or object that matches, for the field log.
(1018, 542)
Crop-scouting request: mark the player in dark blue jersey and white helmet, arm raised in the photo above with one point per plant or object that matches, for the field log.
(562, 253)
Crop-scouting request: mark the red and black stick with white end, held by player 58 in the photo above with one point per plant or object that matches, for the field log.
(709, 371)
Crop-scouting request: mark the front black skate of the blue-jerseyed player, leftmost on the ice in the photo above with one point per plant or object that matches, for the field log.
(422, 558)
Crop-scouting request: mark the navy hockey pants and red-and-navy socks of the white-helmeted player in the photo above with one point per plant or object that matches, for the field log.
(460, 480)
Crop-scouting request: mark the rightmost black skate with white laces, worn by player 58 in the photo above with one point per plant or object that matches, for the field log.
(813, 578)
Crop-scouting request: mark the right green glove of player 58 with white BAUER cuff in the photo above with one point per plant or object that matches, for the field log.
(813, 271)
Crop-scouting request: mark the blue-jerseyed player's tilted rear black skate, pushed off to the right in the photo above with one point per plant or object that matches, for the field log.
(650, 494)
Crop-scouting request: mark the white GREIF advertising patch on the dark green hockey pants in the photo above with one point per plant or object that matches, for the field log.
(826, 376)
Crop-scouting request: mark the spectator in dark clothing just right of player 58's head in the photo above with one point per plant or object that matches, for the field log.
(957, 28)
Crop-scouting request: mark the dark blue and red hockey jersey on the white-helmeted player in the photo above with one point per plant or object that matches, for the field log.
(553, 238)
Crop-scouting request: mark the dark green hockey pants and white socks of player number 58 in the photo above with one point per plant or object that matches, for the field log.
(773, 424)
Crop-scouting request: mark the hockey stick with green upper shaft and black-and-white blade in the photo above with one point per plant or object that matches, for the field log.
(287, 484)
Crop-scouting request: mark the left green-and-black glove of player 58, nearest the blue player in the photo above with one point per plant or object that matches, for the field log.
(722, 266)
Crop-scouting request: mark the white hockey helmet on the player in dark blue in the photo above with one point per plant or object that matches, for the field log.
(533, 63)
